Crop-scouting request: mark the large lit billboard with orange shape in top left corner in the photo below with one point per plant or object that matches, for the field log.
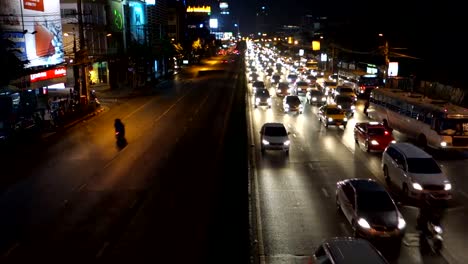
(36, 27)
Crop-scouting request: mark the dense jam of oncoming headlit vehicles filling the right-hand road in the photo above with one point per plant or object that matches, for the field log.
(396, 194)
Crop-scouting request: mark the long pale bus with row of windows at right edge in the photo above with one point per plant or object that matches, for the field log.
(433, 123)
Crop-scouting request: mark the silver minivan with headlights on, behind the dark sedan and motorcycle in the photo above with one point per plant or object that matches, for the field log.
(414, 172)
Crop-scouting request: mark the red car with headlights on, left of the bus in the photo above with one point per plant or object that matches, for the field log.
(373, 136)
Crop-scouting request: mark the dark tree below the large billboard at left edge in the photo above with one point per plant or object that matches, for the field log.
(11, 67)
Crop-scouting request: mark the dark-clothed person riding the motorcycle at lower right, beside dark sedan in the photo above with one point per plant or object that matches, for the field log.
(431, 210)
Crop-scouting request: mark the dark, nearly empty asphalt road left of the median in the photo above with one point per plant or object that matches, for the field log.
(161, 198)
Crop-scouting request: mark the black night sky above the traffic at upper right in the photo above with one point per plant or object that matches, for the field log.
(432, 31)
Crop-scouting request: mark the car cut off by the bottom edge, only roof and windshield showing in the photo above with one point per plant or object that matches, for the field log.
(347, 250)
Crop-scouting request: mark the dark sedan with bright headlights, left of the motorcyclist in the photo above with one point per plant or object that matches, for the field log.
(369, 209)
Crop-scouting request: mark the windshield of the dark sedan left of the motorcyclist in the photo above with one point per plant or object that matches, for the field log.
(375, 201)
